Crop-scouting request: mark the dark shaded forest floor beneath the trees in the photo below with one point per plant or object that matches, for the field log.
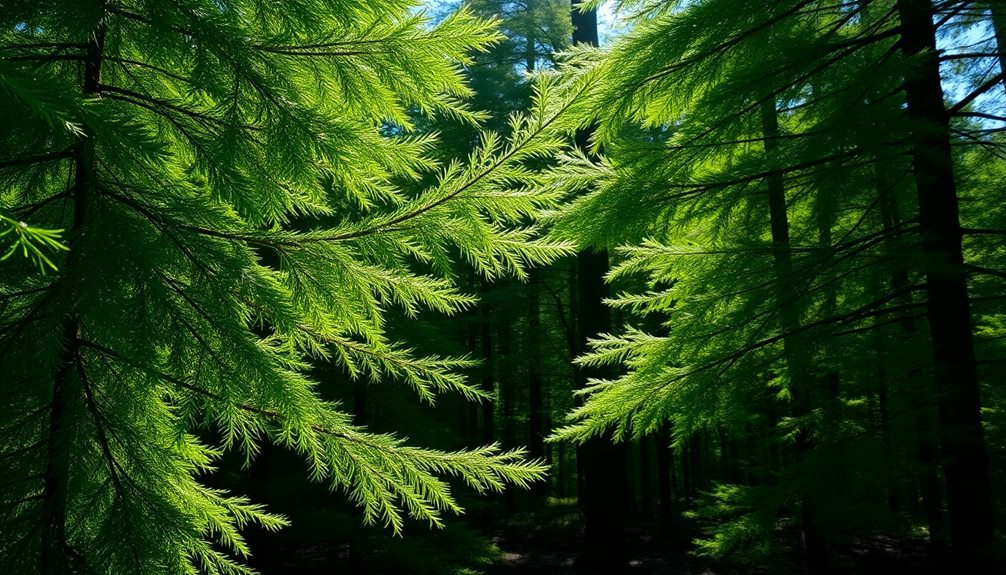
(548, 541)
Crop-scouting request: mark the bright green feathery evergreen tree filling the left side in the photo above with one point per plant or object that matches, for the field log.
(242, 197)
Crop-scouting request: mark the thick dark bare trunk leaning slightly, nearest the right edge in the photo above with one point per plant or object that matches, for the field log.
(966, 467)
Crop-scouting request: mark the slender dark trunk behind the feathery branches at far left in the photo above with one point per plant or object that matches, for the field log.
(55, 552)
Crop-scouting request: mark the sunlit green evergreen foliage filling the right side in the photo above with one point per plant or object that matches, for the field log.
(760, 188)
